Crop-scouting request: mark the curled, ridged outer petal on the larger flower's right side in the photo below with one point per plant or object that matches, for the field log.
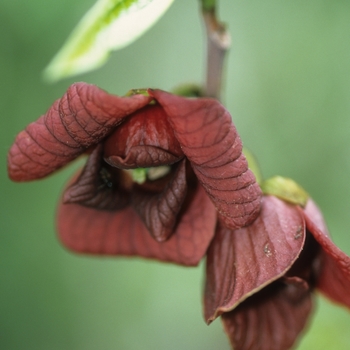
(210, 141)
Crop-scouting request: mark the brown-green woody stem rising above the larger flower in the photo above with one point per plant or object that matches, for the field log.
(218, 42)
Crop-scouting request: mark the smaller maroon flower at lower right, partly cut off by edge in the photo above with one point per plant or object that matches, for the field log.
(260, 278)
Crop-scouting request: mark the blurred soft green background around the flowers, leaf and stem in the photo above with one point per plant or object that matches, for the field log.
(287, 87)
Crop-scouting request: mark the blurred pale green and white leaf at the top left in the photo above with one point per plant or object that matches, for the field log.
(108, 25)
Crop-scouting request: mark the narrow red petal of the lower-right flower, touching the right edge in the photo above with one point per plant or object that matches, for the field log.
(334, 268)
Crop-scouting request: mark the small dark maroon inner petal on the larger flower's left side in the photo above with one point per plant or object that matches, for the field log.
(99, 186)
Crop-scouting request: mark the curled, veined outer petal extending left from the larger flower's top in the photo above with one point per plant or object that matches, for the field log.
(81, 118)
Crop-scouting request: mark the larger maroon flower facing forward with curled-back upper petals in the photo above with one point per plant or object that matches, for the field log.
(186, 163)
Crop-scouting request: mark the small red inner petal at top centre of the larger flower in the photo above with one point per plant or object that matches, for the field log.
(144, 140)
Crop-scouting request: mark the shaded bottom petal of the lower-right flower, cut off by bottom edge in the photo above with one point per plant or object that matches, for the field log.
(271, 319)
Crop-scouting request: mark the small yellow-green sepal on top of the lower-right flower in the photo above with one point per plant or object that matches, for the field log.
(286, 189)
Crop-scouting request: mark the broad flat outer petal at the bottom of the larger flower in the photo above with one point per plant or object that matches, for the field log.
(86, 230)
